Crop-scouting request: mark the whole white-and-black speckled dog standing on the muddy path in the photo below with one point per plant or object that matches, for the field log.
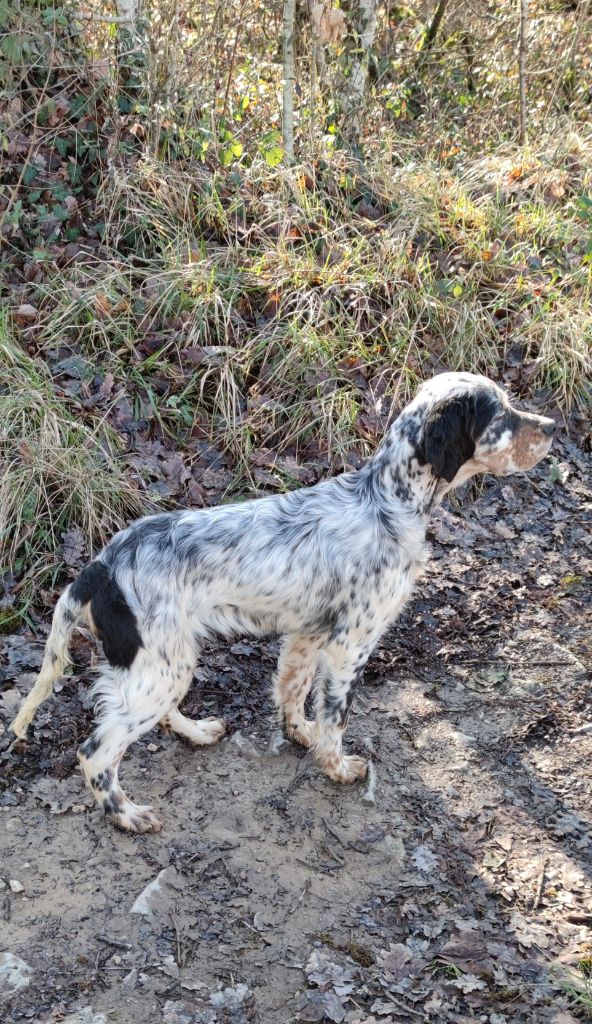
(327, 568)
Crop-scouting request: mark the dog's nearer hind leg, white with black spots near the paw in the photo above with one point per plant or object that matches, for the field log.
(132, 702)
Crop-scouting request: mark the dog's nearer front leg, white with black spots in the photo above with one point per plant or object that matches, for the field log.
(343, 664)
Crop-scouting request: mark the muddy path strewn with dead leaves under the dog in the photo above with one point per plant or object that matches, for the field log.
(462, 892)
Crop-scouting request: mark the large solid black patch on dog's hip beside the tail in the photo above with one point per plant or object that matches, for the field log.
(115, 622)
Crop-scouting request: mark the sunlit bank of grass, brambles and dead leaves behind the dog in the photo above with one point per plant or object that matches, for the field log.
(174, 284)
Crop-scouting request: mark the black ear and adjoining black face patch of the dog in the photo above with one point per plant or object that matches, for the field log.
(453, 430)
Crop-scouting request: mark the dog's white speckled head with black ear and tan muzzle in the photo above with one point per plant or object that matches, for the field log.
(469, 426)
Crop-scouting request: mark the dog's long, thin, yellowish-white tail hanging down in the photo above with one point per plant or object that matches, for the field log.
(56, 659)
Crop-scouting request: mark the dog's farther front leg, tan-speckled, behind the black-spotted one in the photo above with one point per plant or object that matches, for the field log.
(294, 677)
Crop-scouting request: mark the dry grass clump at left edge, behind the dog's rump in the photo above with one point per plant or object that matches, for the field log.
(57, 475)
